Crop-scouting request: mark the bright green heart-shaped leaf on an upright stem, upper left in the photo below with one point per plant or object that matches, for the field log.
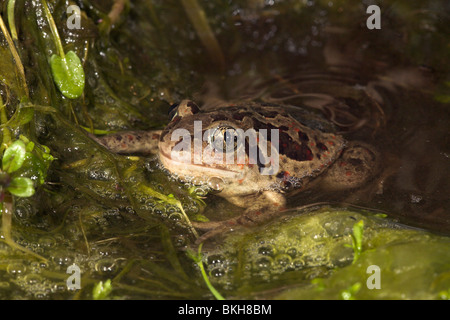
(68, 74)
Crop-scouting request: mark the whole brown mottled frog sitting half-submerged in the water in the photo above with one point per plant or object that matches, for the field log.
(203, 146)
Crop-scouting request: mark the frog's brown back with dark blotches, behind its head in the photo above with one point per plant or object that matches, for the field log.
(307, 143)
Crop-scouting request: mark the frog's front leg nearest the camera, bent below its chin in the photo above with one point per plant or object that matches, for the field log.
(260, 208)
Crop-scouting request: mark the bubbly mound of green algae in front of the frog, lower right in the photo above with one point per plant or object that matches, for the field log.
(309, 256)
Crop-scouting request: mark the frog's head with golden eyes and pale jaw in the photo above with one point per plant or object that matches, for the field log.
(213, 144)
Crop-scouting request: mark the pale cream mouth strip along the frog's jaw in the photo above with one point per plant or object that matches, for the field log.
(192, 169)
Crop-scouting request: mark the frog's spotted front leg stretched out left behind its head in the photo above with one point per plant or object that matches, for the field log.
(129, 142)
